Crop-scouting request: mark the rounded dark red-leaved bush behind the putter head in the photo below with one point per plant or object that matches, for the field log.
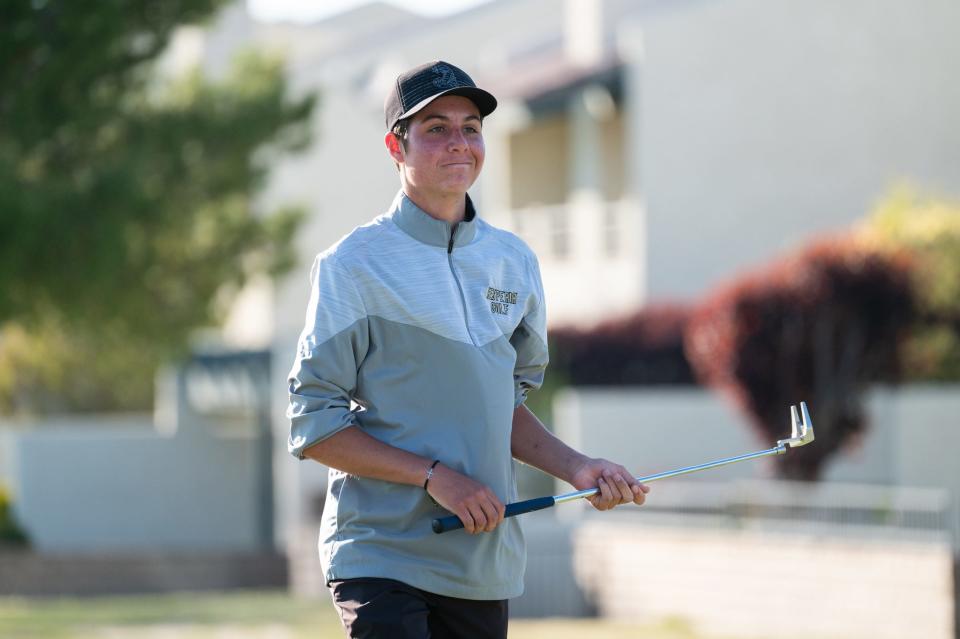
(819, 325)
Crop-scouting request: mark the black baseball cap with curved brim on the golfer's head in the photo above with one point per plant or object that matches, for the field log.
(418, 87)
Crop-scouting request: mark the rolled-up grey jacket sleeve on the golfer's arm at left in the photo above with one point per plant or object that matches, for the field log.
(331, 348)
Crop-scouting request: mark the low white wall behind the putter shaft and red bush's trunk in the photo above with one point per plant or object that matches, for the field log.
(911, 434)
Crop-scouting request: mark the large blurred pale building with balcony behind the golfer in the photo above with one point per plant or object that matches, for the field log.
(645, 149)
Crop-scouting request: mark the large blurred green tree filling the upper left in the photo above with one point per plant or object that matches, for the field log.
(127, 201)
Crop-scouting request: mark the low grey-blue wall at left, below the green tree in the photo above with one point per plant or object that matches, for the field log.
(136, 483)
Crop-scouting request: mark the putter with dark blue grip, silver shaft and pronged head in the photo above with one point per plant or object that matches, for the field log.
(801, 435)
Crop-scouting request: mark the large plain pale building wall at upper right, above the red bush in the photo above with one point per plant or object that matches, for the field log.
(763, 123)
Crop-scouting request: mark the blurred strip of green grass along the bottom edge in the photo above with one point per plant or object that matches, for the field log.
(249, 615)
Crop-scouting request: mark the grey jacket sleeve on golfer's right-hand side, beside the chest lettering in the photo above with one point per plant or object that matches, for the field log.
(529, 340)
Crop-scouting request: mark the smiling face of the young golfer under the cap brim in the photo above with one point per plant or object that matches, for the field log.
(445, 151)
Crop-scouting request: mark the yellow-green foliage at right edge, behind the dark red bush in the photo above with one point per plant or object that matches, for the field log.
(929, 228)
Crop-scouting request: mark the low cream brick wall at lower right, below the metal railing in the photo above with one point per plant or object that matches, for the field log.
(756, 583)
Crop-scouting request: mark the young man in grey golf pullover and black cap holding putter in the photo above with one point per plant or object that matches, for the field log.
(432, 323)
